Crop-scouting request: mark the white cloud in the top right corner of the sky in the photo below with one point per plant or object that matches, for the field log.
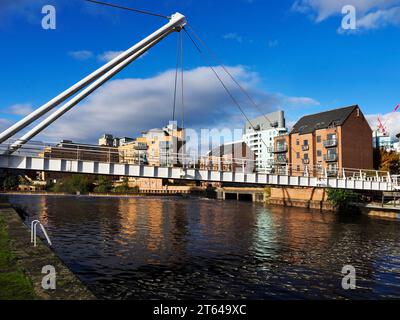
(371, 14)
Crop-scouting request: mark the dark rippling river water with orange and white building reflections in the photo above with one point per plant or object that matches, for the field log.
(155, 248)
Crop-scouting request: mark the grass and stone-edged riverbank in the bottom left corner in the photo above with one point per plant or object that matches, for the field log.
(21, 265)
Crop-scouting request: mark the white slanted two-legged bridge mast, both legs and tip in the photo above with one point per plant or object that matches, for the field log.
(95, 80)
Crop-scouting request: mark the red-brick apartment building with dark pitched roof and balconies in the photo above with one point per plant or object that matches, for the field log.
(332, 140)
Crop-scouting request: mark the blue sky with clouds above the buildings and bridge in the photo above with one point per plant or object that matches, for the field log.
(290, 55)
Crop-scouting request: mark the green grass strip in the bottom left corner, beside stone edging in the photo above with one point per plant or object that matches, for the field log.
(14, 284)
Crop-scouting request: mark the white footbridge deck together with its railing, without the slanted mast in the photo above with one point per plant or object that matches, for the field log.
(191, 168)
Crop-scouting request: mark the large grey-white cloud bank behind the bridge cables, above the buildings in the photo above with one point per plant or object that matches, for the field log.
(127, 107)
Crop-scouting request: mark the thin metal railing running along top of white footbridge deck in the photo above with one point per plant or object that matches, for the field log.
(138, 156)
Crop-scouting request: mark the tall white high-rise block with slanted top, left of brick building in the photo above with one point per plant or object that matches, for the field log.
(259, 135)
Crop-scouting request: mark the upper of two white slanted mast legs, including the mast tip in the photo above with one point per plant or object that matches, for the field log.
(176, 23)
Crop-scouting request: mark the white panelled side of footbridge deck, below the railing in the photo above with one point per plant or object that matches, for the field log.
(141, 171)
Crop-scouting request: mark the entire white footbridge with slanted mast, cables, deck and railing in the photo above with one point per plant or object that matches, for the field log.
(22, 154)
